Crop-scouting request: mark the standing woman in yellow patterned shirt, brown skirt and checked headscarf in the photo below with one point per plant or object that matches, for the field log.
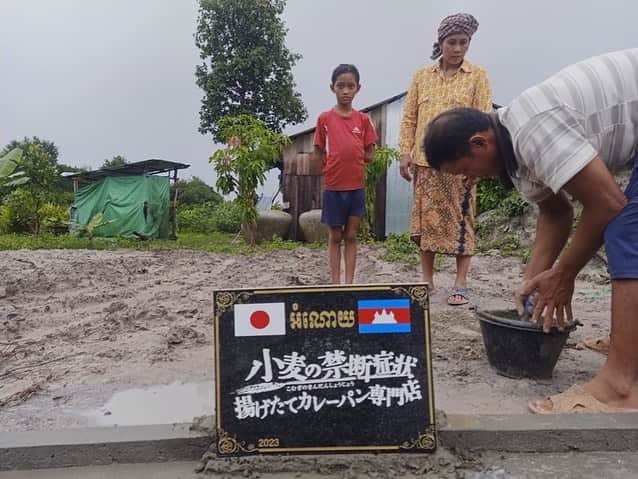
(444, 205)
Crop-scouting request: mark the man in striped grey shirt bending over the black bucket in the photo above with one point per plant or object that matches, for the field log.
(567, 135)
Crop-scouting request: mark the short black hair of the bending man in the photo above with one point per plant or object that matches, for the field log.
(448, 134)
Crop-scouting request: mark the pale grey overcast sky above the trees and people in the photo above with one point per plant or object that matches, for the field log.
(115, 77)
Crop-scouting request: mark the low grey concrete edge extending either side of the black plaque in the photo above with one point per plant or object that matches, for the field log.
(177, 442)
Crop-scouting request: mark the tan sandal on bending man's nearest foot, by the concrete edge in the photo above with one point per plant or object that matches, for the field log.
(574, 400)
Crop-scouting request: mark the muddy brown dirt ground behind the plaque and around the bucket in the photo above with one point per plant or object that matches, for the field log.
(78, 326)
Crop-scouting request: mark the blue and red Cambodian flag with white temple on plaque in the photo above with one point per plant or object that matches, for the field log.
(384, 316)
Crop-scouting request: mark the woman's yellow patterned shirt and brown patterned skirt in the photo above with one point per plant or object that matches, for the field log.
(443, 208)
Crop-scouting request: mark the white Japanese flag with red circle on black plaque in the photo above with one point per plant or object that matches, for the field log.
(260, 319)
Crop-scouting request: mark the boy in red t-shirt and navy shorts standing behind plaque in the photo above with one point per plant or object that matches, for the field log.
(344, 139)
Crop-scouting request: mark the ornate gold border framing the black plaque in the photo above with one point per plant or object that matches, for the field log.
(225, 299)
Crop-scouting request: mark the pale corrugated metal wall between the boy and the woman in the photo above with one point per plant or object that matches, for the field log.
(399, 192)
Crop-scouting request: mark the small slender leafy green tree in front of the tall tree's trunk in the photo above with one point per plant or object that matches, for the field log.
(252, 150)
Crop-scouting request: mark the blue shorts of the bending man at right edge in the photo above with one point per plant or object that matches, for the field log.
(621, 235)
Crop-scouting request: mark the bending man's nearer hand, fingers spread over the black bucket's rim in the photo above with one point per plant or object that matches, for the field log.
(555, 288)
